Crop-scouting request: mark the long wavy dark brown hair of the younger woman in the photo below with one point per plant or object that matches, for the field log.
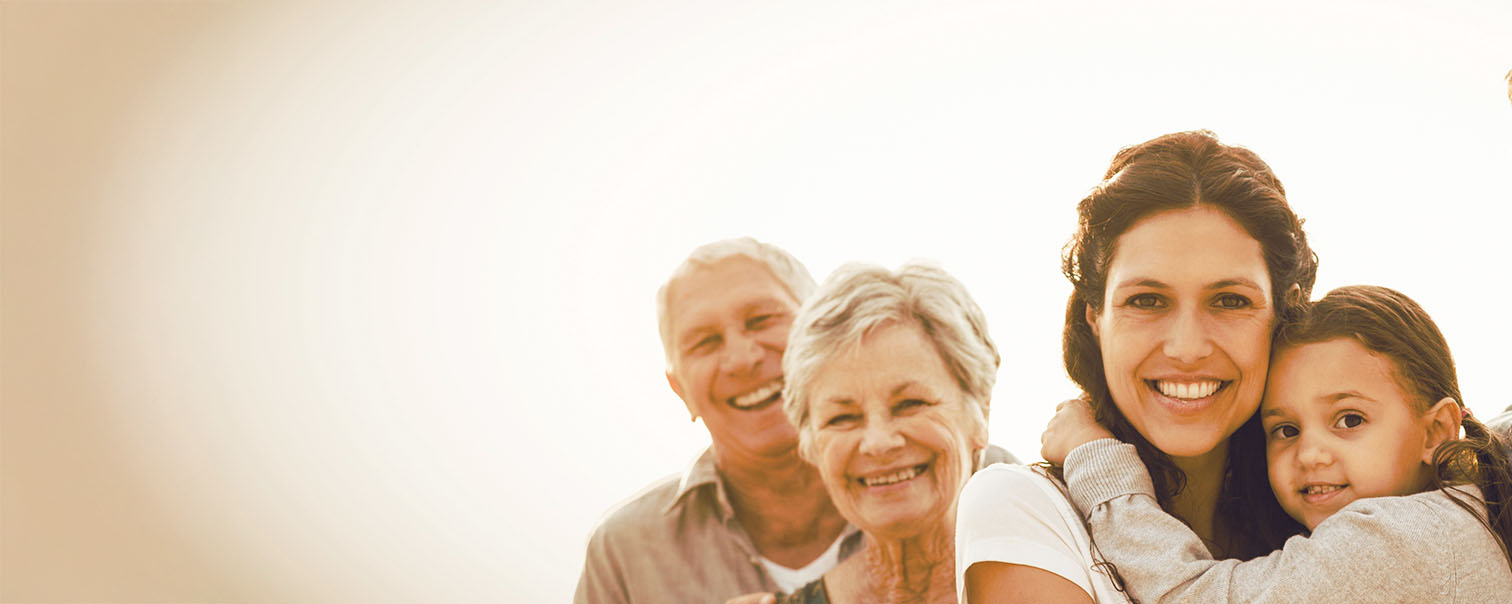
(1179, 172)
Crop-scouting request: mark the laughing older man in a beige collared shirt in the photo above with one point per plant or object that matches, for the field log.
(749, 515)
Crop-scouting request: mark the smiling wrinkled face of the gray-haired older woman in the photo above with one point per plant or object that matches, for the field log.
(891, 435)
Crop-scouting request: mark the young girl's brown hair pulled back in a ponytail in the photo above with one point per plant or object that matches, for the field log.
(1390, 325)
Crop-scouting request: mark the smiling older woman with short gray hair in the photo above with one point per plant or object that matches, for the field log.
(888, 381)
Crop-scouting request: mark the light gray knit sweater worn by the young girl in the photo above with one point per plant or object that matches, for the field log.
(1416, 549)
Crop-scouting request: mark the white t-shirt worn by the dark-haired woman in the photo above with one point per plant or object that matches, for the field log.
(1021, 517)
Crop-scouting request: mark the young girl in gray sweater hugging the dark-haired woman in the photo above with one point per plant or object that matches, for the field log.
(1363, 440)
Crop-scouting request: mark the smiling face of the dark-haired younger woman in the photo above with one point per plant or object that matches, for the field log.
(1186, 329)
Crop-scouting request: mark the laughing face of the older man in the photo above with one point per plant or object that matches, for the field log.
(730, 328)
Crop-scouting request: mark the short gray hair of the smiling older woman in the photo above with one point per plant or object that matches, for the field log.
(858, 299)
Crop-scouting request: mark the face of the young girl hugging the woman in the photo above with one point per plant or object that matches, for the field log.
(1339, 428)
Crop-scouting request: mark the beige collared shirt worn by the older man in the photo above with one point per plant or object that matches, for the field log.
(680, 543)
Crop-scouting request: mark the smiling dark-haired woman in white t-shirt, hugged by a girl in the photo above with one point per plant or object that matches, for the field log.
(1185, 260)
